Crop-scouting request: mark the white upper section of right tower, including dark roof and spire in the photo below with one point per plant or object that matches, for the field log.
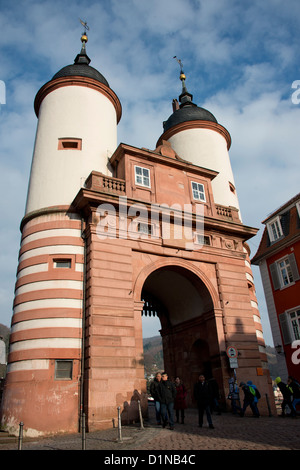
(196, 136)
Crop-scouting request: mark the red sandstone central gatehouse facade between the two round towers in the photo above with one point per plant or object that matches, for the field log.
(205, 297)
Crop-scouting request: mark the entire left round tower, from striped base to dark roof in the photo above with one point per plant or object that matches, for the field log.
(76, 133)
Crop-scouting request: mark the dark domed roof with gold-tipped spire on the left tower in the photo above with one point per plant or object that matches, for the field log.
(81, 66)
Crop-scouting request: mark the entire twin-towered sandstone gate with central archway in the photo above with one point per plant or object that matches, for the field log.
(98, 252)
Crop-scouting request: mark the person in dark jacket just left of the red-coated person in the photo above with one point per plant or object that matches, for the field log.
(167, 393)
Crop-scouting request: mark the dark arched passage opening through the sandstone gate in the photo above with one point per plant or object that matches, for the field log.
(186, 305)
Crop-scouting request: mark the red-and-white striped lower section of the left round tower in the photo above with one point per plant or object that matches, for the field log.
(43, 378)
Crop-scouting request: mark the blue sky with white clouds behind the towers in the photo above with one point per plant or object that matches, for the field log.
(240, 59)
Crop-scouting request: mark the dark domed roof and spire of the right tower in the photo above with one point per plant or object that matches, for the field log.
(187, 110)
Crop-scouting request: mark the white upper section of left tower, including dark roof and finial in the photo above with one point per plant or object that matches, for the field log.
(76, 133)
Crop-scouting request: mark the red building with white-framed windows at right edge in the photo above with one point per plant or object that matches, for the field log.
(278, 258)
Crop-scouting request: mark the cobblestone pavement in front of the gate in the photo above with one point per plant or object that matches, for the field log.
(229, 433)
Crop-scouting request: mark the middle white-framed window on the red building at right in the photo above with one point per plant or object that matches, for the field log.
(284, 272)
